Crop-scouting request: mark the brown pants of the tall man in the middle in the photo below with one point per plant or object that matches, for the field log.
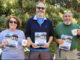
(39, 55)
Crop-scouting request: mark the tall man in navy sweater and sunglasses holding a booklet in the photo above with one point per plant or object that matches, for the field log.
(39, 32)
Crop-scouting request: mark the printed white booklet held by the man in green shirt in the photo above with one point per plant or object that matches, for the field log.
(67, 42)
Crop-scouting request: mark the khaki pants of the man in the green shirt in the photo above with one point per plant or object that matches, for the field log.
(66, 55)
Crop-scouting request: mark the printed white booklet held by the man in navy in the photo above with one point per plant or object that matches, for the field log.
(40, 39)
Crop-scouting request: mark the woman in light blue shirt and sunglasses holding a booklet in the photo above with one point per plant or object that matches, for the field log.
(11, 40)
